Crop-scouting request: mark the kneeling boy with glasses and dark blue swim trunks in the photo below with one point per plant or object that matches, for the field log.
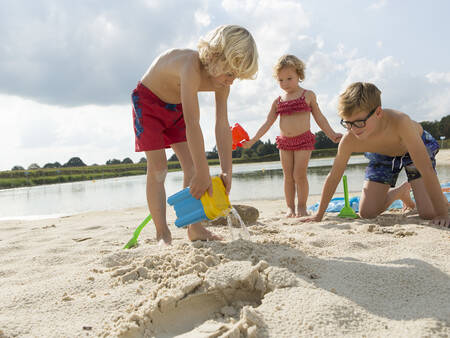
(391, 141)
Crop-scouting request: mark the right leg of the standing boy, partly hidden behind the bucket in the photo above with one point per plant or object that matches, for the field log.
(195, 231)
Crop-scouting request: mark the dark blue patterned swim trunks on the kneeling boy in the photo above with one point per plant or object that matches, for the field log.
(385, 169)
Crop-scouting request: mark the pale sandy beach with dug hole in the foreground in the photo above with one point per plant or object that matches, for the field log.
(70, 277)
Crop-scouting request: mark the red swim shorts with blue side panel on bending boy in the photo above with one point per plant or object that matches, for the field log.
(157, 124)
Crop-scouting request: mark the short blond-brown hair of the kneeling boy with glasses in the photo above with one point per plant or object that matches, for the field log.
(359, 96)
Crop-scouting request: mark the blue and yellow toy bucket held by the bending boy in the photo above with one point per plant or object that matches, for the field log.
(190, 210)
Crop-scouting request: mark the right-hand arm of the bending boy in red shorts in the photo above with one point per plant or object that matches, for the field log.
(223, 136)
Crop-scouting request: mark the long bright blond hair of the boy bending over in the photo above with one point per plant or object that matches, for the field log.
(229, 49)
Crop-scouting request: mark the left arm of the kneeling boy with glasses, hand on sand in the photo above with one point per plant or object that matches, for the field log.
(333, 178)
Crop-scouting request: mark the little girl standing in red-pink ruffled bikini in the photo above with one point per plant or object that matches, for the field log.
(296, 141)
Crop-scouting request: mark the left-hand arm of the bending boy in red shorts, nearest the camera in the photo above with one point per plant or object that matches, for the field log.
(189, 84)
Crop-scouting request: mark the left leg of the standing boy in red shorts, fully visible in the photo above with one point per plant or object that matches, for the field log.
(156, 194)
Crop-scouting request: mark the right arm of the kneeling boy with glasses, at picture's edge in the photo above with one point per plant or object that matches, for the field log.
(421, 160)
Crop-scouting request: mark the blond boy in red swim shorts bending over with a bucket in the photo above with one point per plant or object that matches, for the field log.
(166, 114)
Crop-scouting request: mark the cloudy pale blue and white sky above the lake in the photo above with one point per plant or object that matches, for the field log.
(67, 68)
